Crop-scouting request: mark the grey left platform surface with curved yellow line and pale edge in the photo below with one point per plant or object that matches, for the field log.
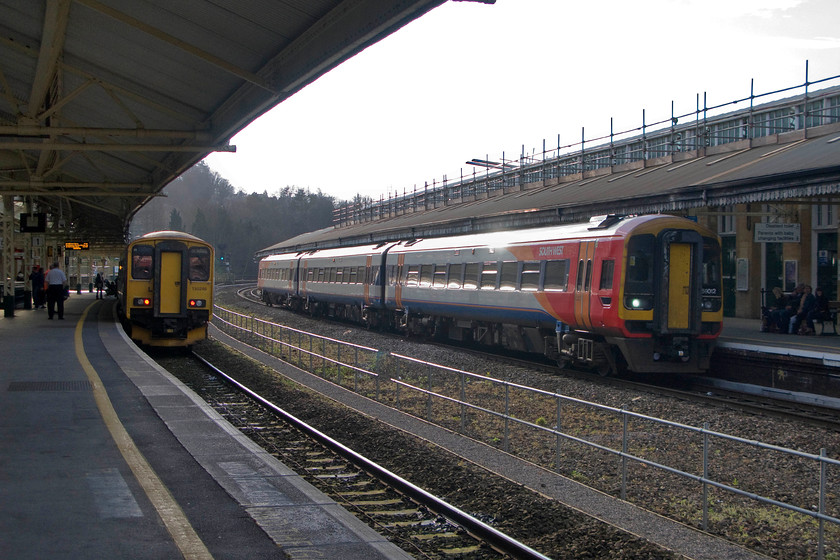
(105, 455)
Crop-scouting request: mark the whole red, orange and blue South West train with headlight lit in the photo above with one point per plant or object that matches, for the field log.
(639, 293)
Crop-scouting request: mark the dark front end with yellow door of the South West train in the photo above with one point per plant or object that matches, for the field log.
(671, 302)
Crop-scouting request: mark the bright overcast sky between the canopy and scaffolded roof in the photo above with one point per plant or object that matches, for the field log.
(470, 80)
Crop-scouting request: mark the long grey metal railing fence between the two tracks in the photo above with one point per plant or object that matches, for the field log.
(572, 432)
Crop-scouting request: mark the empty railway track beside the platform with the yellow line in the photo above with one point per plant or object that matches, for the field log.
(412, 518)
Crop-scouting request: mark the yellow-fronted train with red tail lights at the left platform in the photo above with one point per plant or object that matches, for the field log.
(169, 292)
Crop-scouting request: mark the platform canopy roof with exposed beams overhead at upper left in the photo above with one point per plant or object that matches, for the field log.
(104, 102)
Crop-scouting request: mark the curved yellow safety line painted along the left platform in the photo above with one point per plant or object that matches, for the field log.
(185, 537)
